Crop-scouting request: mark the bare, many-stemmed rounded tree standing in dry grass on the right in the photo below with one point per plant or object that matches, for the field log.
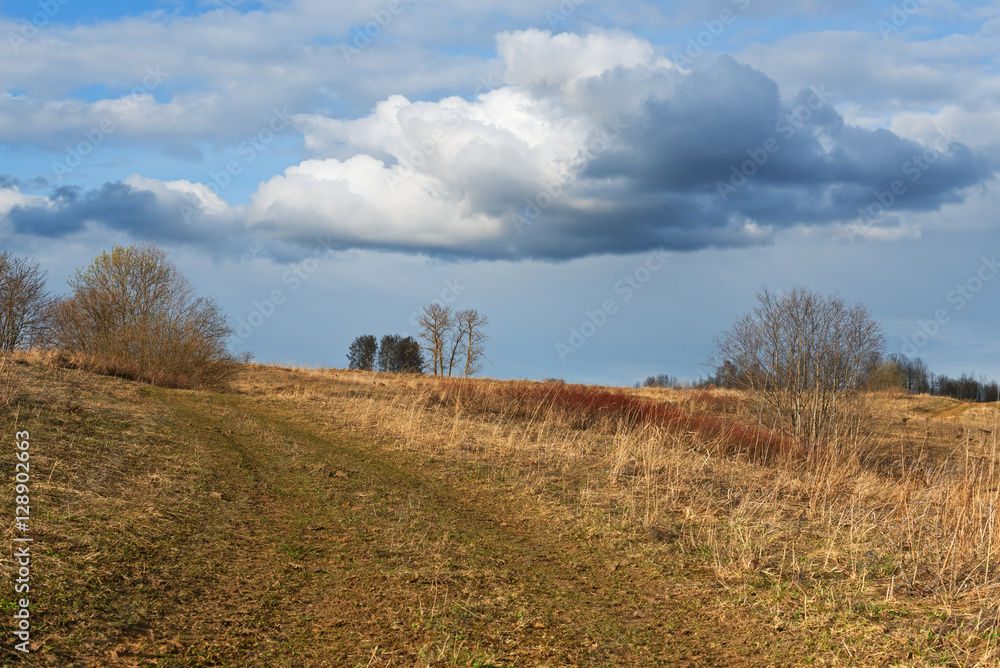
(804, 360)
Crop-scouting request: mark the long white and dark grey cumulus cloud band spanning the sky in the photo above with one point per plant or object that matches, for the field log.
(590, 144)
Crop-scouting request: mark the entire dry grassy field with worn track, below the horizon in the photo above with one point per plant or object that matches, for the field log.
(334, 518)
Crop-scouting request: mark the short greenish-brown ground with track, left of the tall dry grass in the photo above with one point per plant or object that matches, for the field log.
(188, 529)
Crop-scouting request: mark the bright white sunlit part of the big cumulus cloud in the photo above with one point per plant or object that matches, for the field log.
(444, 174)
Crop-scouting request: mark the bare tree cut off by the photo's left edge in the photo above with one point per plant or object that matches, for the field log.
(24, 302)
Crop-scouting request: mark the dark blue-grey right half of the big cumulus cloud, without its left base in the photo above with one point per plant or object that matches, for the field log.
(724, 148)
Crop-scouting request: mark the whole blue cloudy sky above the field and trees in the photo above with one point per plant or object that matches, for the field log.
(610, 183)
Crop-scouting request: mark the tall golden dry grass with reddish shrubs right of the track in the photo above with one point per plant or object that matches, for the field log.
(903, 523)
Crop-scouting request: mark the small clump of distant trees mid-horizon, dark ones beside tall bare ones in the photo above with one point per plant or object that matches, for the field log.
(452, 341)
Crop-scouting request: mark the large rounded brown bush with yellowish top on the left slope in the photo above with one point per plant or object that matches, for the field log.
(133, 314)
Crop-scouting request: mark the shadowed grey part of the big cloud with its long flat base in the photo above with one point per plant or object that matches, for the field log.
(720, 161)
